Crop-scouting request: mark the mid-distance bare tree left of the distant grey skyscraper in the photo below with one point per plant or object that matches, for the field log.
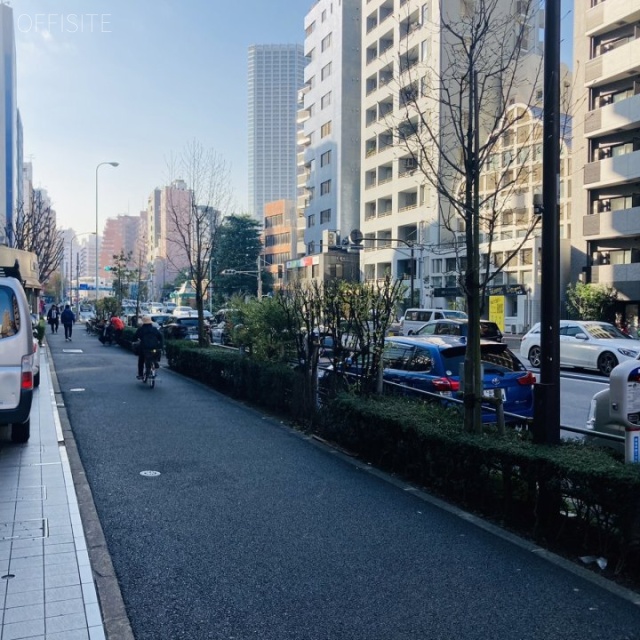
(194, 217)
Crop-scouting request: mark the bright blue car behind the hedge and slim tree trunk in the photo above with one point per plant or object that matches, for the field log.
(434, 364)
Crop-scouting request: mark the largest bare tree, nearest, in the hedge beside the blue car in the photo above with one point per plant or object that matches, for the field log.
(451, 124)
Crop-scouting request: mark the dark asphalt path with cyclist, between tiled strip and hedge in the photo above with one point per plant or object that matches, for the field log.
(251, 531)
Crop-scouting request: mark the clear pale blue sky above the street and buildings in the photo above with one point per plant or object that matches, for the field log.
(133, 84)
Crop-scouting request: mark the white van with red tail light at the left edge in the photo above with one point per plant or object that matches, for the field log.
(16, 359)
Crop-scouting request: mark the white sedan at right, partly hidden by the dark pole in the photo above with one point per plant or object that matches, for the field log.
(587, 344)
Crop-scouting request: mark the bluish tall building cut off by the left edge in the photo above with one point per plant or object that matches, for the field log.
(10, 172)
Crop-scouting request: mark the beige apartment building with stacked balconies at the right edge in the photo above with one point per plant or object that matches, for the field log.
(606, 198)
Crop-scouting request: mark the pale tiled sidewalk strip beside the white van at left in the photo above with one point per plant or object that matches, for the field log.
(46, 582)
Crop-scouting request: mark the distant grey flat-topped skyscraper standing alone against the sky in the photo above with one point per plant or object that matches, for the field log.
(275, 76)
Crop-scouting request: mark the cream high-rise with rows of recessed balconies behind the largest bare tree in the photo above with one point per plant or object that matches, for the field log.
(410, 230)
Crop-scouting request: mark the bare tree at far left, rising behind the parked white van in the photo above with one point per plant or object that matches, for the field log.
(35, 230)
